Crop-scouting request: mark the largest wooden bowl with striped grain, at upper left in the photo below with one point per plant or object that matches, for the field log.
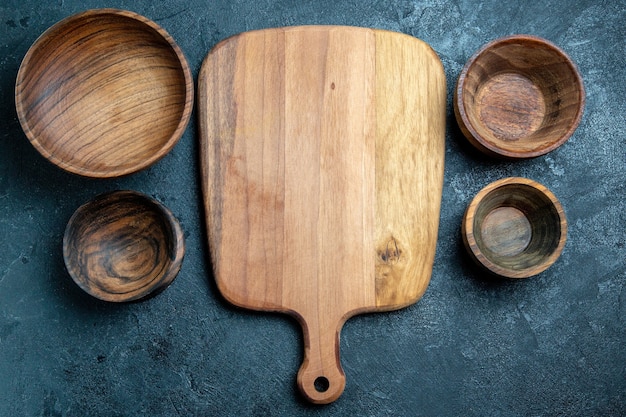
(104, 93)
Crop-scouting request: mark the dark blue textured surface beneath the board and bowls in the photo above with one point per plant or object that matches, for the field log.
(551, 345)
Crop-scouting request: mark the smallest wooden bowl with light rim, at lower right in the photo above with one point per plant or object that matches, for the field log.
(515, 228)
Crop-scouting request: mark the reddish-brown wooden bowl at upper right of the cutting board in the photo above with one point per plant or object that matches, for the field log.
(519, 97)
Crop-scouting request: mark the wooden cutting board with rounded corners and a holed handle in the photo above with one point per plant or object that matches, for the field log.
(322, 155)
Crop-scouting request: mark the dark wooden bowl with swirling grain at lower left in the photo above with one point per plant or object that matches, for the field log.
(122, 246)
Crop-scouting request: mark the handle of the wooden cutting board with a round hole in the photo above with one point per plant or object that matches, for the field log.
(321, 378)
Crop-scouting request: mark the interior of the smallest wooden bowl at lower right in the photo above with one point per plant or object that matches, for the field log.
(517, 227)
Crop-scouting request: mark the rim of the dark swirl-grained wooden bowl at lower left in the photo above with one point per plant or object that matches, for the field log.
(175, 235)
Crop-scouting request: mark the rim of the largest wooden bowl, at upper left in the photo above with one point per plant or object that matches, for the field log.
(156, 155)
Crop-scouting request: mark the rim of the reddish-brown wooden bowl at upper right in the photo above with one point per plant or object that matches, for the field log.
(488, 147)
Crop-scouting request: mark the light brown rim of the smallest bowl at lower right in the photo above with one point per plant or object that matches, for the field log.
(472, 247)
